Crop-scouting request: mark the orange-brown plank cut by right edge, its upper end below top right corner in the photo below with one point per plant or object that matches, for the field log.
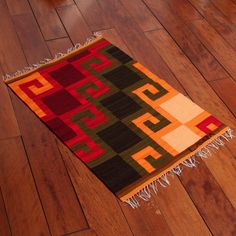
(216, 45)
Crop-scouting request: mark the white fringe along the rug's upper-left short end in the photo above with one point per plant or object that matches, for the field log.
(7, 77)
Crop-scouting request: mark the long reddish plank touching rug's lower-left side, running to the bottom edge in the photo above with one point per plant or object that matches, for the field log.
(59, 200)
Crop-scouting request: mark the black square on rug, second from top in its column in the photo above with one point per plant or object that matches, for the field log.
(122, 77)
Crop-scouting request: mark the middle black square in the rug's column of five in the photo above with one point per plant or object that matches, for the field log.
(120, 105)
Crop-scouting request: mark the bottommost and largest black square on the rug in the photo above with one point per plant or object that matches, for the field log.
(116, 173)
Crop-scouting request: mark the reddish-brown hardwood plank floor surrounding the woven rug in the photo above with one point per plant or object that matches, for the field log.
(45, 190)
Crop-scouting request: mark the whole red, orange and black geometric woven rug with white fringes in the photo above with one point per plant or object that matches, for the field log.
(131, 128)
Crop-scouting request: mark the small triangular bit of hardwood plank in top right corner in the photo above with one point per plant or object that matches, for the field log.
(228, 8)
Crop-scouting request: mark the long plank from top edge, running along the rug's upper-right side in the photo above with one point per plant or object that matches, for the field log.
(133, 36)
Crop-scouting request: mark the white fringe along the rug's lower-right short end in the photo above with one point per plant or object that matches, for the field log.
(146, 193)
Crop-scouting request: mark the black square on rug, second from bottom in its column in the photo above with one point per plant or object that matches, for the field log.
(119, 137)
